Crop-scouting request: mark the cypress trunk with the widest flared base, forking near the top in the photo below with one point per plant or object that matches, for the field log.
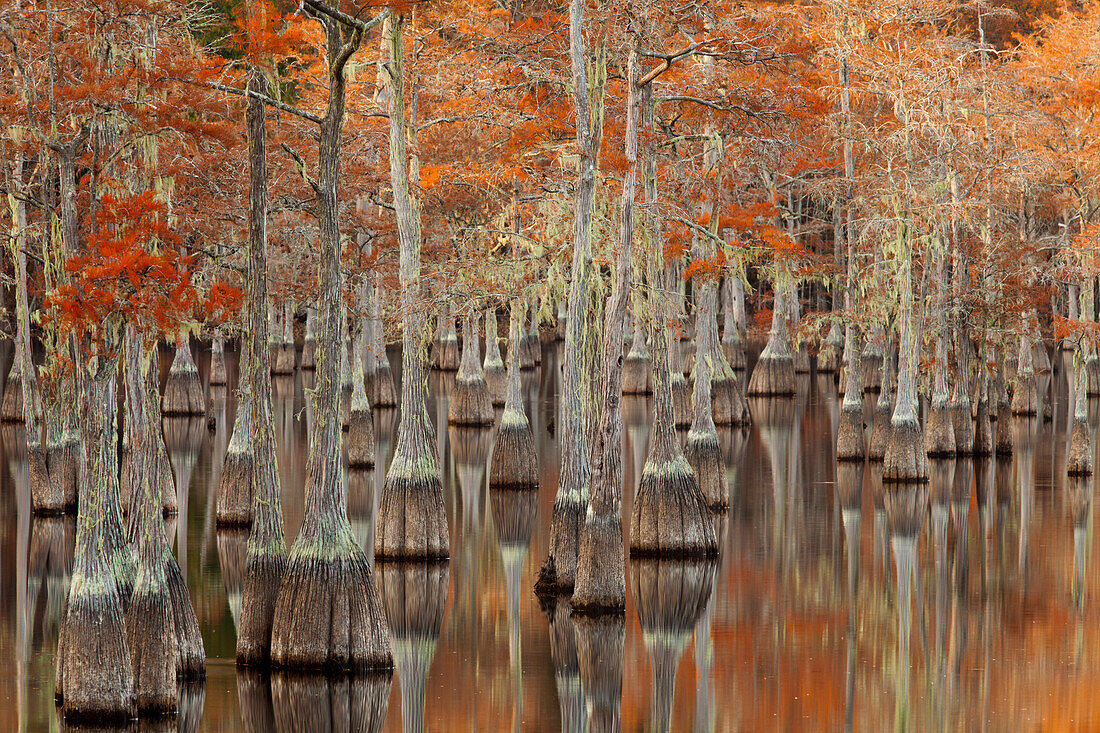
(328, 614)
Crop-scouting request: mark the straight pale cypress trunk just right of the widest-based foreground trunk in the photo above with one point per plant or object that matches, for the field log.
(412, 517)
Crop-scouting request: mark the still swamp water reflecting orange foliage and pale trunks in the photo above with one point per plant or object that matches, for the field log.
(798, 625)
